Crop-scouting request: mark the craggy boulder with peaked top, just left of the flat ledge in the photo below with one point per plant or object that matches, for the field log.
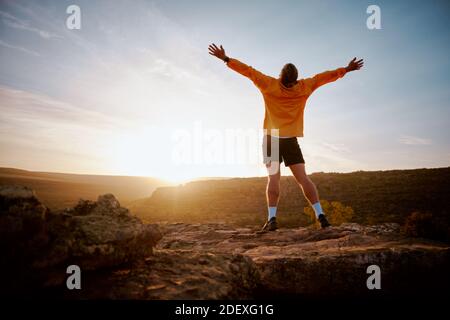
(98, 234)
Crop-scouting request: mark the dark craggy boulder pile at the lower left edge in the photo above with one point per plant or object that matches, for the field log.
(37, 245)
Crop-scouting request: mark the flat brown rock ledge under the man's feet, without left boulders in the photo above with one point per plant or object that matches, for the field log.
(220, 262)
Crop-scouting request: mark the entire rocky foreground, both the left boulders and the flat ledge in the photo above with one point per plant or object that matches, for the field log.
(207, 261)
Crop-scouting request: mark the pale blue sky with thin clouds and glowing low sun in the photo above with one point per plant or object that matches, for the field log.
(134, 91)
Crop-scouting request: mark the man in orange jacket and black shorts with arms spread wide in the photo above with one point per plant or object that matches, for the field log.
(285, 100)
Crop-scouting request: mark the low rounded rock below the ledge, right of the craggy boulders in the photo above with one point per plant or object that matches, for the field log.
(176, 275)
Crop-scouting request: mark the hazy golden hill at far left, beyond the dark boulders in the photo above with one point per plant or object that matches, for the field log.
(60, 190)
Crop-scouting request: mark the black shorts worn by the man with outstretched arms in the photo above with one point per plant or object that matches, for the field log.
(289, 151)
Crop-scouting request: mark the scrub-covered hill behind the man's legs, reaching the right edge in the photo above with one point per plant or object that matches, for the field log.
(375, 196)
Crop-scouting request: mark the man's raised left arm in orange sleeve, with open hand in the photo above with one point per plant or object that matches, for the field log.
(258, 78)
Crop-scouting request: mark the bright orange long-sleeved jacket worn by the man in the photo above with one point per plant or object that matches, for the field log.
(285, 106)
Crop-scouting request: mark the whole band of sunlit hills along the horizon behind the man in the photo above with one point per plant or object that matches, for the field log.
(417, 199)
